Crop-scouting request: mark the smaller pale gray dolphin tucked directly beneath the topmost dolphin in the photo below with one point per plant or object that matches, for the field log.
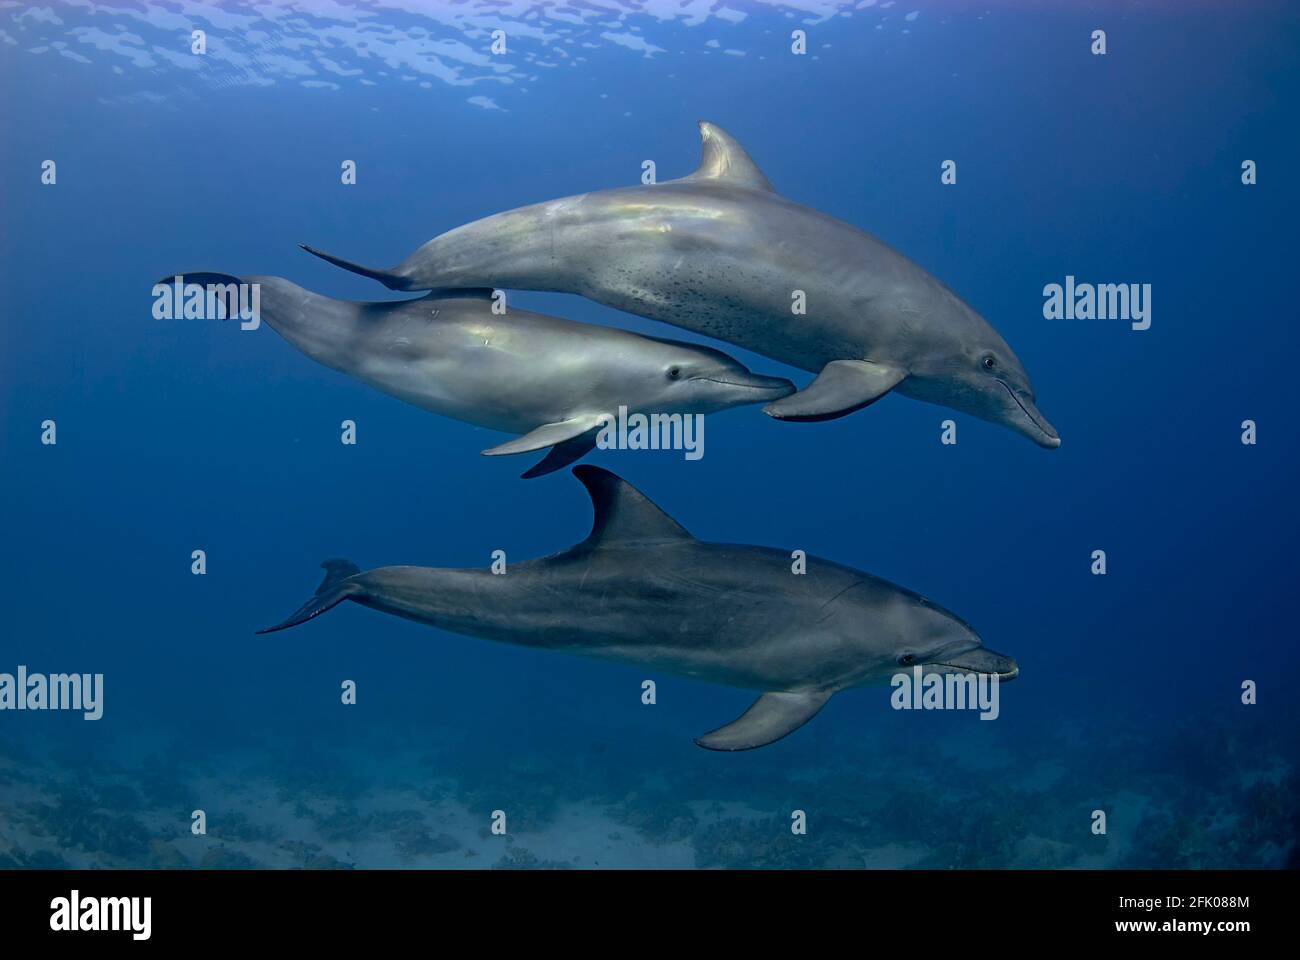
(552, 380)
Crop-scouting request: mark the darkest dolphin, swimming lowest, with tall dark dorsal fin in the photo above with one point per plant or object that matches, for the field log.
(640, 590)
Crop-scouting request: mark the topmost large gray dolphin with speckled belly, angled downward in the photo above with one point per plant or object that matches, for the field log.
(721, 253)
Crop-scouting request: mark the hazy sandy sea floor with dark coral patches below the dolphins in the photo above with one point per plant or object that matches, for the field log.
(387, 805)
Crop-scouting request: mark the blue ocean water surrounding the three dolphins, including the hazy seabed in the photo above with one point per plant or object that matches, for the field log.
(175, 436)
